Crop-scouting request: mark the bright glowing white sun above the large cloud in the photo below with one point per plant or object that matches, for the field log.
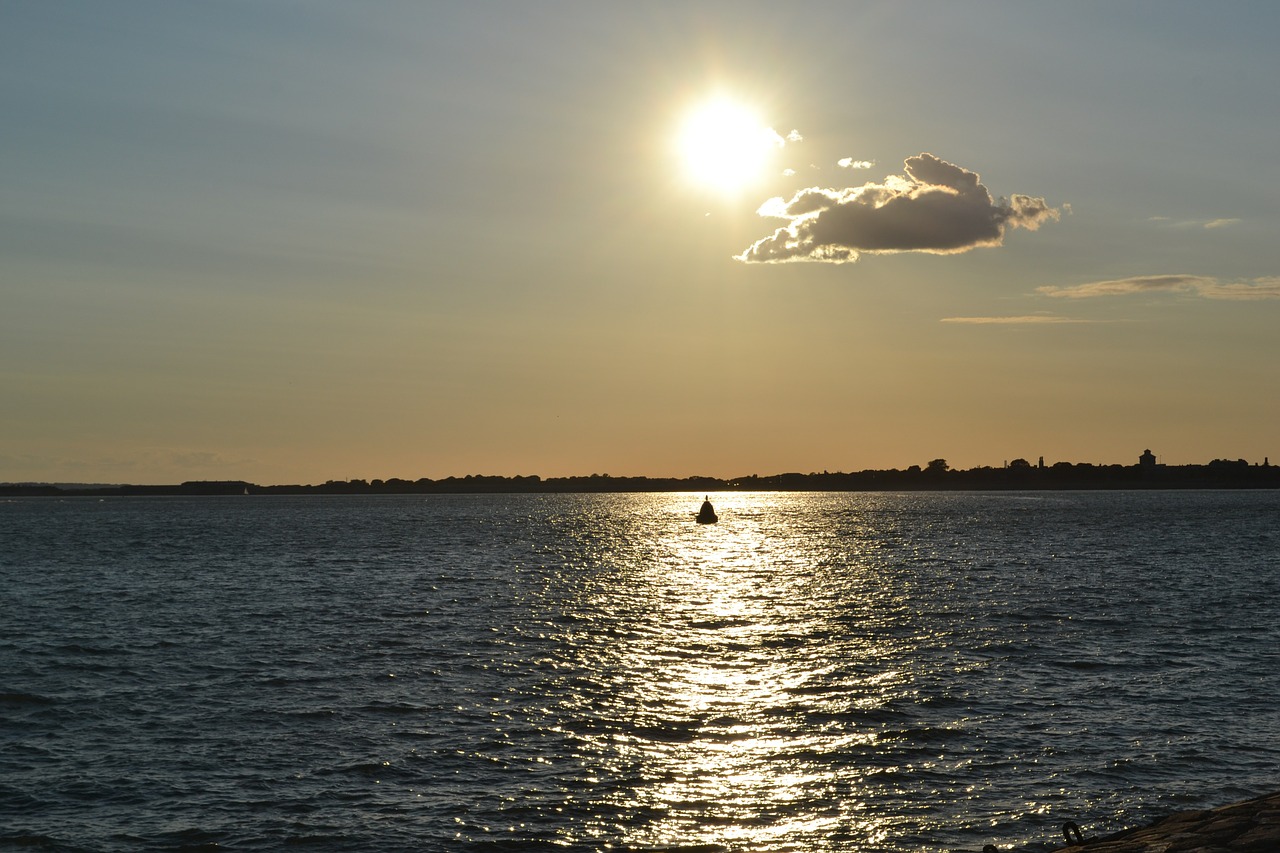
(725, 147)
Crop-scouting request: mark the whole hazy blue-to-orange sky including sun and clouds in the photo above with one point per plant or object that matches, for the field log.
(298, 241)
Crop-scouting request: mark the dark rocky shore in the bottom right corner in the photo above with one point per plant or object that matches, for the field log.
(1252, 827)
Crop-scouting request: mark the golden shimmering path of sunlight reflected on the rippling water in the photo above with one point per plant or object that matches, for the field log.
(733, 665)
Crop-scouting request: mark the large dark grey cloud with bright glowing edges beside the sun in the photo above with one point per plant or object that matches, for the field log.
(935, 208)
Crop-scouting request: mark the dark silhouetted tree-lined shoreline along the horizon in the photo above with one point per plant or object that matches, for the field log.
(1021, 476)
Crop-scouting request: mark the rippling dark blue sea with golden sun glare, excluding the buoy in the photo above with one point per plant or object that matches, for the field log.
(586, 673)
